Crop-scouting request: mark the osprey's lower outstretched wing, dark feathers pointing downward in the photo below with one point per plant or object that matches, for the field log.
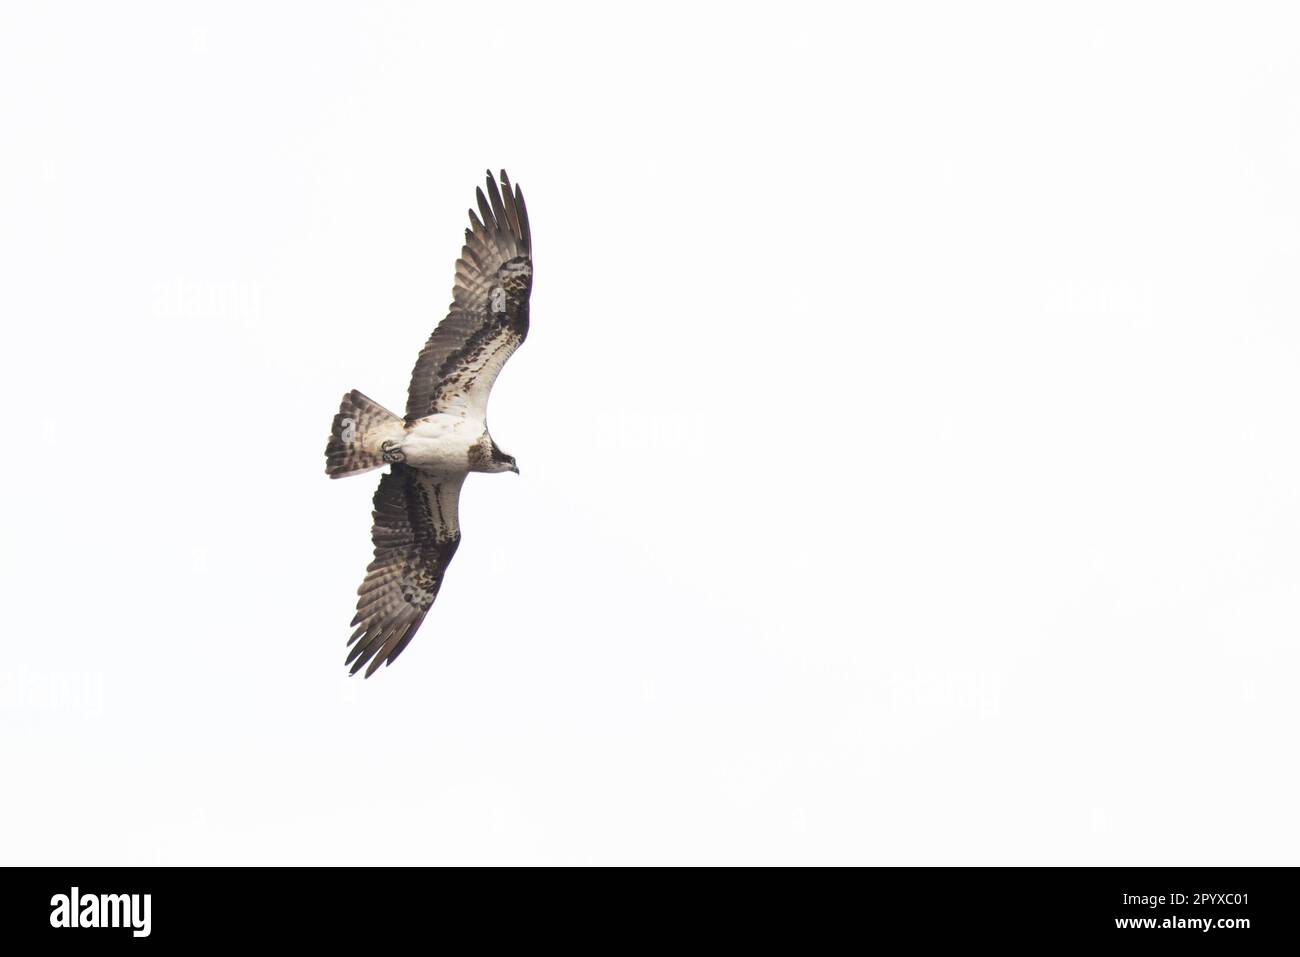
(417, 532)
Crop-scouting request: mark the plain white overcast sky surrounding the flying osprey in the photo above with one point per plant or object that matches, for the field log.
(908, 430)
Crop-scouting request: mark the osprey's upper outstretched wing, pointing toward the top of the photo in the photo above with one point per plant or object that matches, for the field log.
(488, 318)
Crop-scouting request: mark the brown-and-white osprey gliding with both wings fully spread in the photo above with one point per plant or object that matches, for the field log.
(444, 435)
